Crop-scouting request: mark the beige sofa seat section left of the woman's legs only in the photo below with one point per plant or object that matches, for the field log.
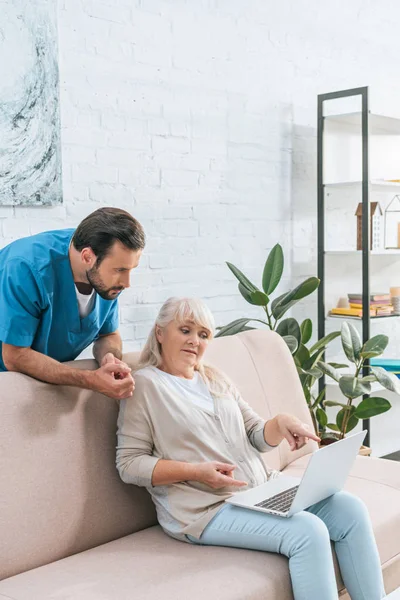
(148, 565)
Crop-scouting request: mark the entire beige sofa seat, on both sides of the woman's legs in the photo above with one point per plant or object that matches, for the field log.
(148, 564)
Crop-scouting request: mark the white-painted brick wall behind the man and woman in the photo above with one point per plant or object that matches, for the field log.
(199, 117)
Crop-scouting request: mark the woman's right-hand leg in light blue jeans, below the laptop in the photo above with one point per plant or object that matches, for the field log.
(349, 526)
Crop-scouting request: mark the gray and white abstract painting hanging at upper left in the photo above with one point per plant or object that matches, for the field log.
(30, 145)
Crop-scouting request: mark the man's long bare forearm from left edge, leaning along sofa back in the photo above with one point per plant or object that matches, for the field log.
(44, 368)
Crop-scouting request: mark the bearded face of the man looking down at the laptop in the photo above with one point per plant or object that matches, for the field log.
(113, 274)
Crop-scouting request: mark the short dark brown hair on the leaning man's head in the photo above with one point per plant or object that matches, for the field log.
(103, 227)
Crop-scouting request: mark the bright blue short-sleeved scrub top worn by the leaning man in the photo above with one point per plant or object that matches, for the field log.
(38, 302)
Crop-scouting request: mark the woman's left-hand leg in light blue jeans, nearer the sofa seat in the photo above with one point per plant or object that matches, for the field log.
(304, 539)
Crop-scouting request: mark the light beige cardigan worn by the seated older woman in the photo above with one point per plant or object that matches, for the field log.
(157, 423)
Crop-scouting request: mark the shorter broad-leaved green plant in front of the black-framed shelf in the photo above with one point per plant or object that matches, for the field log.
(355, 385)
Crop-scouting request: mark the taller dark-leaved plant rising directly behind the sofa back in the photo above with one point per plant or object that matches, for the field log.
(295, 335)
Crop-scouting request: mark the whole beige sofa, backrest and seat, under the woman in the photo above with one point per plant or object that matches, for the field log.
(71, 530)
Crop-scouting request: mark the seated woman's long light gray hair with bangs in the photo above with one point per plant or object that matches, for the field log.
(181, 310)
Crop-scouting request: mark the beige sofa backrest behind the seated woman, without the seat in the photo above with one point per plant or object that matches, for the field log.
(60, 492)
